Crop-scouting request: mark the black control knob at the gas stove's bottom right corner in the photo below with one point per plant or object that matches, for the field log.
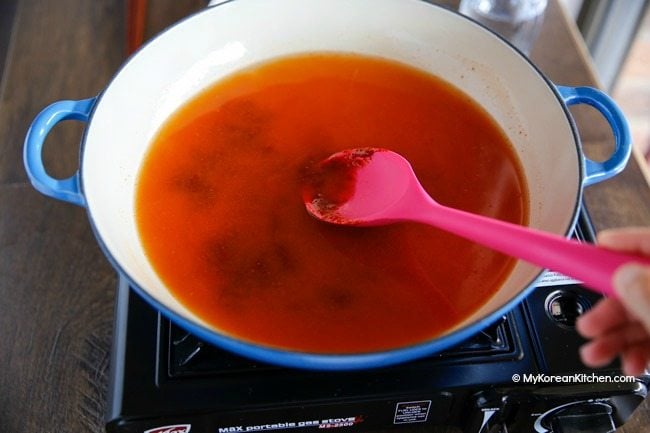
(577, 417)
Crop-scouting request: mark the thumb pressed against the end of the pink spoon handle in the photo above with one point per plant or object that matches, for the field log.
(632, 283)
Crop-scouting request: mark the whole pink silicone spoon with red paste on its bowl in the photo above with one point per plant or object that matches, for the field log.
(369, 187)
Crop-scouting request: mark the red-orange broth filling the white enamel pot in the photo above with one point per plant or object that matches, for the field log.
(220, 214)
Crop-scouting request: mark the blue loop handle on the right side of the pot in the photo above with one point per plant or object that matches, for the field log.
(599, 171)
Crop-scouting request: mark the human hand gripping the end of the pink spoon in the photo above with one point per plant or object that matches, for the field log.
(621, 326)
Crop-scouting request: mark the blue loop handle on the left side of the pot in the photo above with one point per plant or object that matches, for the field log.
(61, 189)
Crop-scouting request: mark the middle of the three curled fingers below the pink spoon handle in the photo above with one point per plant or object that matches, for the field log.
(602, 350)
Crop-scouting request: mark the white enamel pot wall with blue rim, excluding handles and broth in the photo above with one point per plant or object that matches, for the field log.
(218, 41)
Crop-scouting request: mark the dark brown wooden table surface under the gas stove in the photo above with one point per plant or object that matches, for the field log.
(57, 289)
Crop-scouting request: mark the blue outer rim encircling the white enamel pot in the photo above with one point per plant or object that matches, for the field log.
(335, 362)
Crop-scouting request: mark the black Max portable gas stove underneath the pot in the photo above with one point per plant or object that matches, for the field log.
(164, 380)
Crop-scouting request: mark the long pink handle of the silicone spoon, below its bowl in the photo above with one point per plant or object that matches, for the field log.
(590, 264)
